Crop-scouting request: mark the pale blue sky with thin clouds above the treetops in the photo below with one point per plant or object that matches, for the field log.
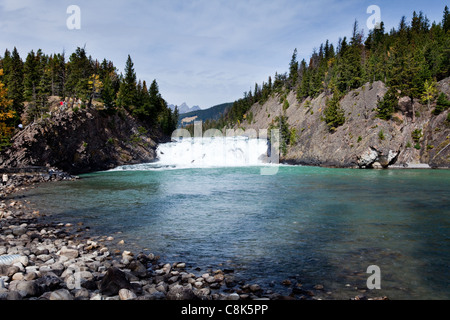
(202, 52)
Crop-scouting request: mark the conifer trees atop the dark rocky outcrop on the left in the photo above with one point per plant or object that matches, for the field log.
(26, 85)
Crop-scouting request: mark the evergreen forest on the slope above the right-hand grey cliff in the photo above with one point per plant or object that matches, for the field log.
(409, 59)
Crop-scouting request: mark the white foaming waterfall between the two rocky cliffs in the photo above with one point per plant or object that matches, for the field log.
(207, 153)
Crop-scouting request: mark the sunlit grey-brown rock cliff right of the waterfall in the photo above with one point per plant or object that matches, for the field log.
(364, 140)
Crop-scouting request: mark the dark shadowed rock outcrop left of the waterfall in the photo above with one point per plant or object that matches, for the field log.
(84, 141)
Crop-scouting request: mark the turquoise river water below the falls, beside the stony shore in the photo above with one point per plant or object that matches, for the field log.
(310, 225)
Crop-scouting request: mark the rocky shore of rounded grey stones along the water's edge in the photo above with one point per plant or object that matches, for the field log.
(41, 260)
